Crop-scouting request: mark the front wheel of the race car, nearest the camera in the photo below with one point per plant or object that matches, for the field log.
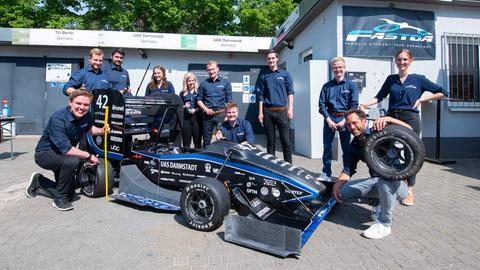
(204, 203)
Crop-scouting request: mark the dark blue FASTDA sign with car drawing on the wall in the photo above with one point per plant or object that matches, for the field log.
(381, 32)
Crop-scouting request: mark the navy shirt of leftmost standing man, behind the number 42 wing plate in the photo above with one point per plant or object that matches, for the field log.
(89, 78)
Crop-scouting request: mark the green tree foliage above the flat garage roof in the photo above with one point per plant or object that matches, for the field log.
(215, 17)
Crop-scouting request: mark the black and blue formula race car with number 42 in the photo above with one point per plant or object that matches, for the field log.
(278, 205)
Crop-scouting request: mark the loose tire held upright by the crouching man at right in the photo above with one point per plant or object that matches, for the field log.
(394, 153)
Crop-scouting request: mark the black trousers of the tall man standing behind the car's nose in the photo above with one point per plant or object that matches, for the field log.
(279, 120)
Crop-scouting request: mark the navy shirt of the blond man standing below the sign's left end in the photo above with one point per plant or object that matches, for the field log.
(338, 97)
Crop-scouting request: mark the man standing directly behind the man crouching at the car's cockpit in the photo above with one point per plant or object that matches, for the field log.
(213, 94)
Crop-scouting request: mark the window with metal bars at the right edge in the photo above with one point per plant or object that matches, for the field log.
(463, 69)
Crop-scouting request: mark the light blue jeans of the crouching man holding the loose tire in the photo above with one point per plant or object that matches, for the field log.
(387, 193)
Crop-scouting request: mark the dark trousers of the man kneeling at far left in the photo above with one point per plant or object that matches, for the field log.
(63, 167)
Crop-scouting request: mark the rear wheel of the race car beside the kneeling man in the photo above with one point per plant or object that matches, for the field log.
(92, 179)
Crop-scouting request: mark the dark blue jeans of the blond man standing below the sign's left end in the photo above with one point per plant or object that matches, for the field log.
(328, 136)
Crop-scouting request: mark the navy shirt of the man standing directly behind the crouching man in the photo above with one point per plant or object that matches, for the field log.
(215, 94)
